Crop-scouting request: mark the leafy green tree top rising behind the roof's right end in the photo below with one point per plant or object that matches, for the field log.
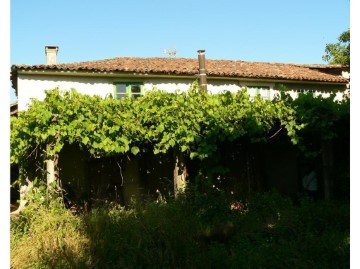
(339, 53)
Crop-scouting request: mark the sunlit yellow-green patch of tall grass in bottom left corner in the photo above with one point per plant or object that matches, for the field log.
(48, 236)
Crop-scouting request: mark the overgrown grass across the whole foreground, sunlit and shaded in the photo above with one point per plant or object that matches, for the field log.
(195, 231)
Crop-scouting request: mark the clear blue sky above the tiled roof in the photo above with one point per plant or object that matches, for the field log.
(266, 31)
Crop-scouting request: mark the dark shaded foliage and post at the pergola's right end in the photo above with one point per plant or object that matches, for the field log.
(325, 122)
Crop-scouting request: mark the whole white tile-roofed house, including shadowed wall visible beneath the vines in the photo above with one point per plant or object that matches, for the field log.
(129, 76)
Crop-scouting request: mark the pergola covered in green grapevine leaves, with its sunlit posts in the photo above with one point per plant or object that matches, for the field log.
(191, 124)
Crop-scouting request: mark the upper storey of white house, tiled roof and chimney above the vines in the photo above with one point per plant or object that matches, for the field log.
(123, 76)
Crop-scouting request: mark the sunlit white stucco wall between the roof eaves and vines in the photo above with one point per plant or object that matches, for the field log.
(34, 86)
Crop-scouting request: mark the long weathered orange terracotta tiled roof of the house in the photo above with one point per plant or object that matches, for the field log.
(189, 66)
